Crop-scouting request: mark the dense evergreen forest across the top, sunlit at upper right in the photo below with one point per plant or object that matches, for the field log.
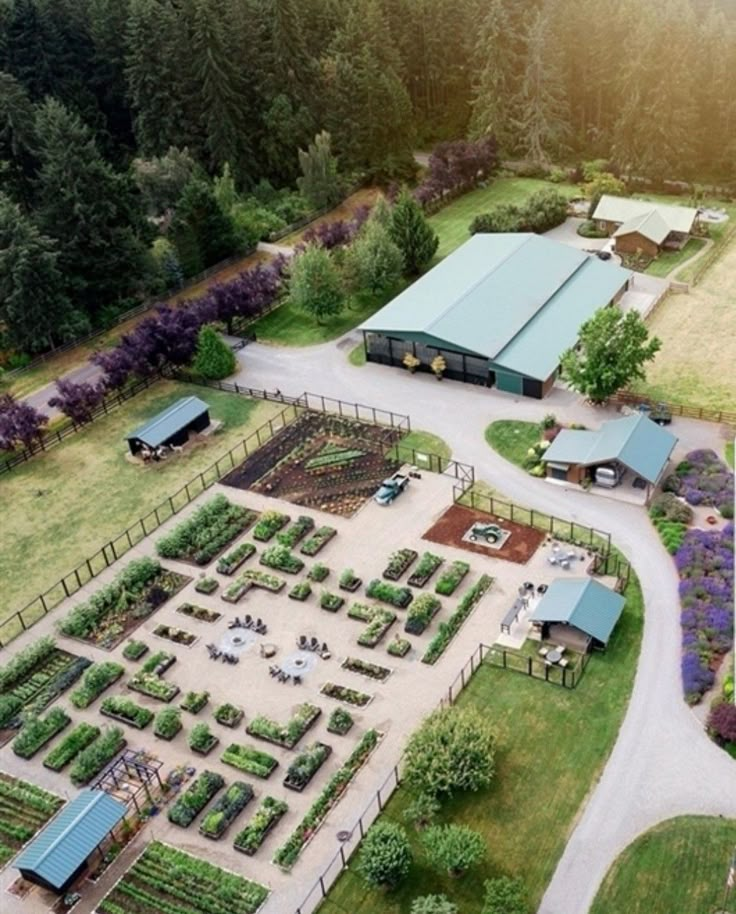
(143, 140)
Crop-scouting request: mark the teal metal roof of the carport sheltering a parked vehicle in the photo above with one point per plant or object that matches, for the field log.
(636, 441)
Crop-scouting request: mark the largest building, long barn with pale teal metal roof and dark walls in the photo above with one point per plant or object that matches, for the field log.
(501, 310)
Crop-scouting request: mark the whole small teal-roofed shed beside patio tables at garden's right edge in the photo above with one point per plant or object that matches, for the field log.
(578, 612)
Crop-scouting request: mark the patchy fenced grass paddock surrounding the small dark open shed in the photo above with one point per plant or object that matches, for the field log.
(64, 505)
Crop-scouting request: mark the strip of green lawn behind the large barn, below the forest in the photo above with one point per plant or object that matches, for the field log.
(452, 222)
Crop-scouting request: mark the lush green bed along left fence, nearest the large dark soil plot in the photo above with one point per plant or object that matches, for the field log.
(208, 531)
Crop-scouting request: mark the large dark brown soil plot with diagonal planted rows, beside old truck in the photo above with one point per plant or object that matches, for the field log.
(319, 461)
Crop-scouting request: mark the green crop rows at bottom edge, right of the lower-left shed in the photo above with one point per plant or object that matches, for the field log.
(164, 880)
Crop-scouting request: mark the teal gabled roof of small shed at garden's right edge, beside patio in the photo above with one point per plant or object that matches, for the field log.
(582, 602)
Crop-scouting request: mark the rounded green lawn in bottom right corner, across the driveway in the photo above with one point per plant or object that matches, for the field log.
(679, 865)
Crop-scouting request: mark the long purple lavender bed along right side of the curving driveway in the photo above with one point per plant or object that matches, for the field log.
(705, 565)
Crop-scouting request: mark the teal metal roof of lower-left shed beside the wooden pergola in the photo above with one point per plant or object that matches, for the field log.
(68, 840)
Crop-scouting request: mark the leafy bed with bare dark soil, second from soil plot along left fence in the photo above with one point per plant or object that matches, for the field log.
(118, 608)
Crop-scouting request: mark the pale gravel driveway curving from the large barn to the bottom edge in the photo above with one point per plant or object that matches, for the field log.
(662, 764)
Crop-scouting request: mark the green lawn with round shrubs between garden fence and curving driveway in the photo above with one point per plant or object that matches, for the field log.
(529, 810)
